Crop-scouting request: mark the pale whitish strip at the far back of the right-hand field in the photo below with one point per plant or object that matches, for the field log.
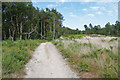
(95, 41)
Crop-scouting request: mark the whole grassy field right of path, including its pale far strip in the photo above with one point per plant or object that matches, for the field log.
(99, 53)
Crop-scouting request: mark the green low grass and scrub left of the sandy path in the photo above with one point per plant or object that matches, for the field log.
(15, 54)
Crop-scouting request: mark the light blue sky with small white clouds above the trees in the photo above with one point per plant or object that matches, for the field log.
(77, 14)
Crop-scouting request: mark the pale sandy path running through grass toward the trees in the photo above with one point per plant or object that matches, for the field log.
(48, 63)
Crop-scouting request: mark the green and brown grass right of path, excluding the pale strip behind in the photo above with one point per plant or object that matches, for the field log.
(90, 61)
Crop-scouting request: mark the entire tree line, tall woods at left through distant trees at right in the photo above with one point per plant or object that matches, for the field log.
(21, 20)
